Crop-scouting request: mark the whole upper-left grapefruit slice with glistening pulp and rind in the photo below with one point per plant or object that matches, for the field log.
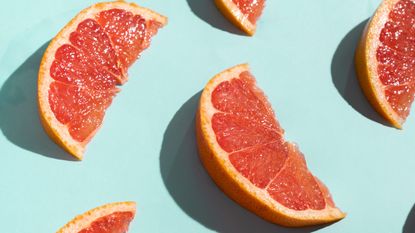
(83, 64)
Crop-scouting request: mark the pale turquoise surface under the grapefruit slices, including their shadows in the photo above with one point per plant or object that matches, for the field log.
(302, 56)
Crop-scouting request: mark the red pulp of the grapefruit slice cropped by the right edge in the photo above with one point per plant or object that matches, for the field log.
(396, 57)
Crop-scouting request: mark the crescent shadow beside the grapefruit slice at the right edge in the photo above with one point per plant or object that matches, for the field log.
(344, 75)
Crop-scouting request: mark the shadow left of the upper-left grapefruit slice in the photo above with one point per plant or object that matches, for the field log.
(19, 116)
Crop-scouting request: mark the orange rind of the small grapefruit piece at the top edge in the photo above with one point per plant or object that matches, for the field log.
(231, 11)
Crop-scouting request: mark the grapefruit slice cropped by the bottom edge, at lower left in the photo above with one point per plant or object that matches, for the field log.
(109, 218)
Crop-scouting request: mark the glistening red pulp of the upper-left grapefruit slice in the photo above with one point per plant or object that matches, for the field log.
(87, 69)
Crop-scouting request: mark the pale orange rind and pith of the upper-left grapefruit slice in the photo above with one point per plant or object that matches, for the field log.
(55, 129)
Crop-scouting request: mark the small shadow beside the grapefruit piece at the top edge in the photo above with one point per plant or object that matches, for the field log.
(207, 11)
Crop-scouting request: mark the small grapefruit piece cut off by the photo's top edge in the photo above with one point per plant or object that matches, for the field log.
(242, 13)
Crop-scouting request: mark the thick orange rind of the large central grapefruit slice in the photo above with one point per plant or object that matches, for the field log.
(233, 183)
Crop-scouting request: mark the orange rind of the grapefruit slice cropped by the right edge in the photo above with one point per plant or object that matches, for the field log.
(366, 64)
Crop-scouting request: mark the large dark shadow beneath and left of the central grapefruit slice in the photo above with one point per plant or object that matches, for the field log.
(192, 188)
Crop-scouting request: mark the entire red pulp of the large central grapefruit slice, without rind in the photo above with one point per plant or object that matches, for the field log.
(250, 128)
